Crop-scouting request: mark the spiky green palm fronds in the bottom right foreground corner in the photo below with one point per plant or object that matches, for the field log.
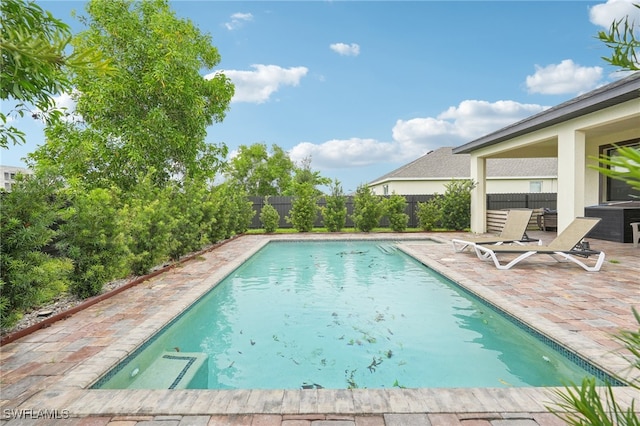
(587, 405)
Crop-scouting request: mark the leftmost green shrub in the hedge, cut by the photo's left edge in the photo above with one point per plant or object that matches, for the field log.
(29, 273)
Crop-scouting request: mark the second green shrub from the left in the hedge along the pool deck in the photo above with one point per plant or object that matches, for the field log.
(92, 236)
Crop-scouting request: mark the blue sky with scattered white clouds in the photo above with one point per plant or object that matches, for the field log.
(363, 87)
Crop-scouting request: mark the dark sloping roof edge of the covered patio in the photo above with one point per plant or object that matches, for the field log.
(618, 92)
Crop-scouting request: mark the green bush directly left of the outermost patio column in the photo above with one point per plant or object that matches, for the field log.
(455, 204)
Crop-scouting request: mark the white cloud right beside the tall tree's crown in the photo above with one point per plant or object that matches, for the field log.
(258, 85)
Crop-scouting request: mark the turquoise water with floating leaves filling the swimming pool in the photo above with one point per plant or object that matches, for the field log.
(341, 314)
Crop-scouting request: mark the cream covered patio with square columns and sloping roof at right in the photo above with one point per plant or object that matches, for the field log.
(575, 132)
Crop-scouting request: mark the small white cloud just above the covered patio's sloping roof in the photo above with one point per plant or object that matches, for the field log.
(566, 77)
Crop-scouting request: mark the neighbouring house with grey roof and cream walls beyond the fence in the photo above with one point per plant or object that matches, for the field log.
(430, 173)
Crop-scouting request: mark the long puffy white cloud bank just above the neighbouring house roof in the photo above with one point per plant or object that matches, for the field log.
(413, 138)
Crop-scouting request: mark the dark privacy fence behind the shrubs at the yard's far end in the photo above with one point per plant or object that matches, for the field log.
(494, 202)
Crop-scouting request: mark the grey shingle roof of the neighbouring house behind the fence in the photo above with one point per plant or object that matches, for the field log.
(443, 164)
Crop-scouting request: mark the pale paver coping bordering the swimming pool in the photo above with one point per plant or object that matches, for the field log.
(73, 392)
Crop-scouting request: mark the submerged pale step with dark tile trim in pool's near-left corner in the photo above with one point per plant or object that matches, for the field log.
(174, 370)
